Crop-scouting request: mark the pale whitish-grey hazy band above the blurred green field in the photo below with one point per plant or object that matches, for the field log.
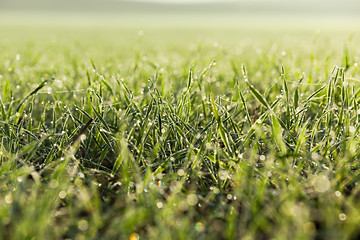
(226, 13)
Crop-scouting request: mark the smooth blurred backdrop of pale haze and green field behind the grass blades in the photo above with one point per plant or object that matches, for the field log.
(159, 28)
